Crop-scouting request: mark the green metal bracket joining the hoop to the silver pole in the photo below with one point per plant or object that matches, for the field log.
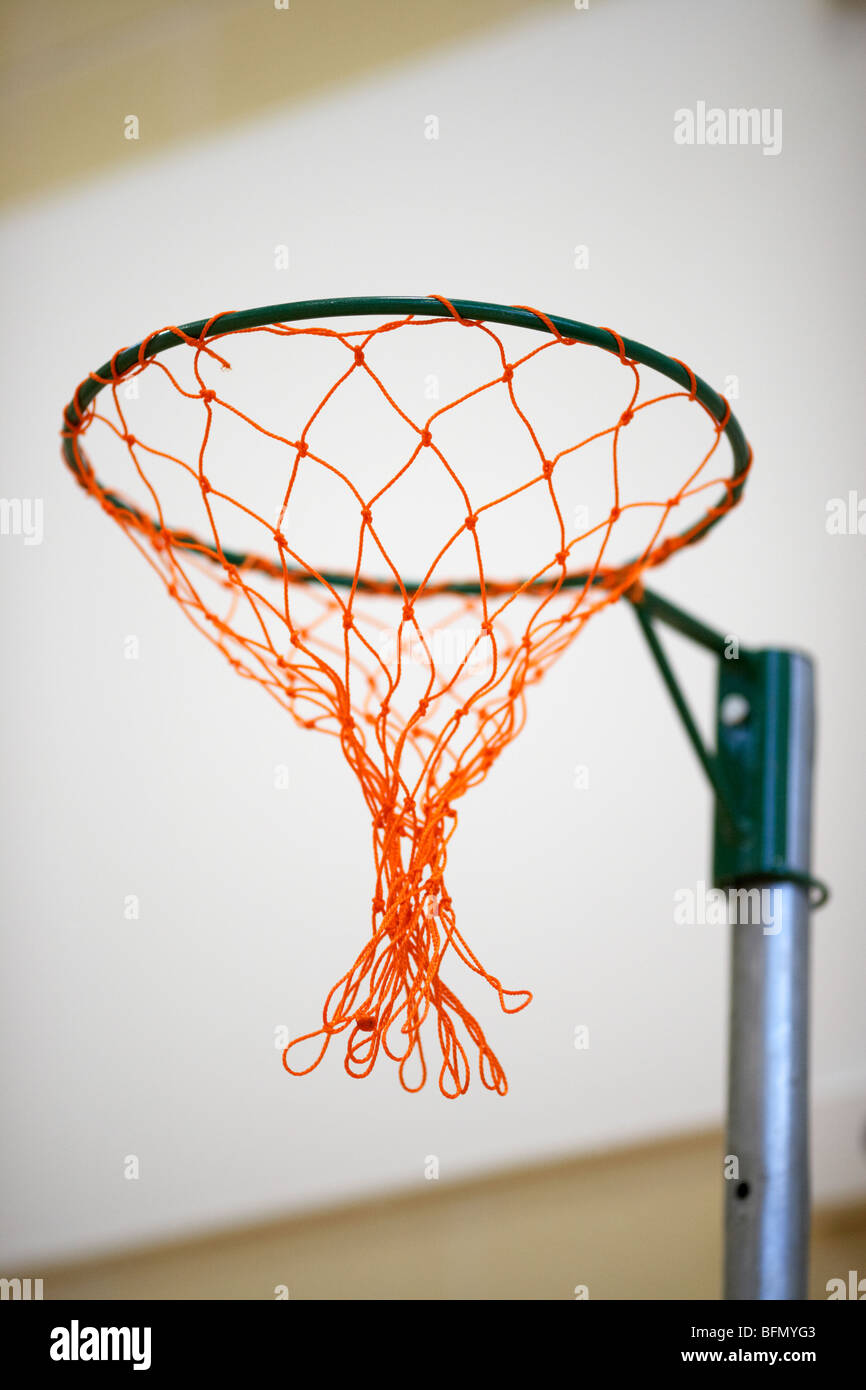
(755, 831)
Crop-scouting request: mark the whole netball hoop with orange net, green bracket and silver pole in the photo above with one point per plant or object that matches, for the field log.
(395, 530)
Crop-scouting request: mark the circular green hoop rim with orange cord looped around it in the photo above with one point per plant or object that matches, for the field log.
(469, 311)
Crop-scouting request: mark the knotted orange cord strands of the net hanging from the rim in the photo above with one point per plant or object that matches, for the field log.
(351, 655)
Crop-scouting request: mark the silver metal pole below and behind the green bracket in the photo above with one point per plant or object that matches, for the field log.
(768, 1202)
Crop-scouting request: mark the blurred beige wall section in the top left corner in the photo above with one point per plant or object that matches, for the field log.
(162, 70)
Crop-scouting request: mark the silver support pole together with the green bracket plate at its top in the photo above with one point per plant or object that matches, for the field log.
(767, 718)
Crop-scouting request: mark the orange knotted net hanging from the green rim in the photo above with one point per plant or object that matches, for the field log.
(416, 662)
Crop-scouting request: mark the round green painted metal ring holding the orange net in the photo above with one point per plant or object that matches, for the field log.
(213, 329)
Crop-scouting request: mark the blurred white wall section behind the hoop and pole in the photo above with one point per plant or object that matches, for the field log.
(156, 776)
